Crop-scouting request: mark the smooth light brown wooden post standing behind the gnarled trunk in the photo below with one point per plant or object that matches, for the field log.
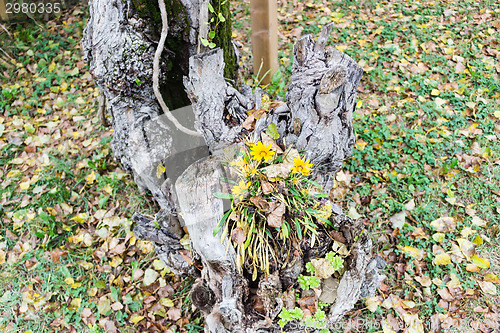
(264, 38)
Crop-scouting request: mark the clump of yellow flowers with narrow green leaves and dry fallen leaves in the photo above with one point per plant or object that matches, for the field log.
(274, 205)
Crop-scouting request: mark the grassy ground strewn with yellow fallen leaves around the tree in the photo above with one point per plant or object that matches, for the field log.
(424, 177)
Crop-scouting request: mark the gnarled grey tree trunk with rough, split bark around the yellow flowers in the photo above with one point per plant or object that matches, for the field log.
(317, 117)
